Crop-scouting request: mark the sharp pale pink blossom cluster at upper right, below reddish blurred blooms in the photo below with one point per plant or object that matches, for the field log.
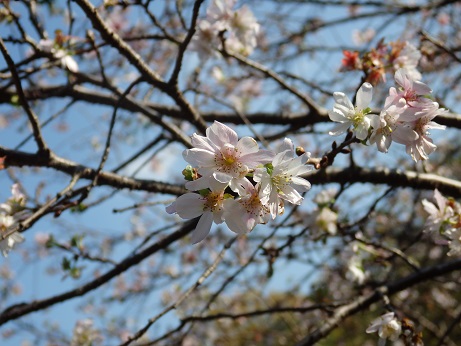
(405, 118)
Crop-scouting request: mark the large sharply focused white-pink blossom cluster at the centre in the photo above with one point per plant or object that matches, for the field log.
(238, 183)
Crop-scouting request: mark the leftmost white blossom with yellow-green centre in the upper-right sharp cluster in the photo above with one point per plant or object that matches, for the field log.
(346, 114)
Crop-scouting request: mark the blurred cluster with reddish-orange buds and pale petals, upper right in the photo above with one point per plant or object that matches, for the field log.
(382, 59)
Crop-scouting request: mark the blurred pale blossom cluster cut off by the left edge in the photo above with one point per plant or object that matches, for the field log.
(10, 213)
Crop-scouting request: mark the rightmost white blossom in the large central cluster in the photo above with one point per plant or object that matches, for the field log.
(280, 180)
